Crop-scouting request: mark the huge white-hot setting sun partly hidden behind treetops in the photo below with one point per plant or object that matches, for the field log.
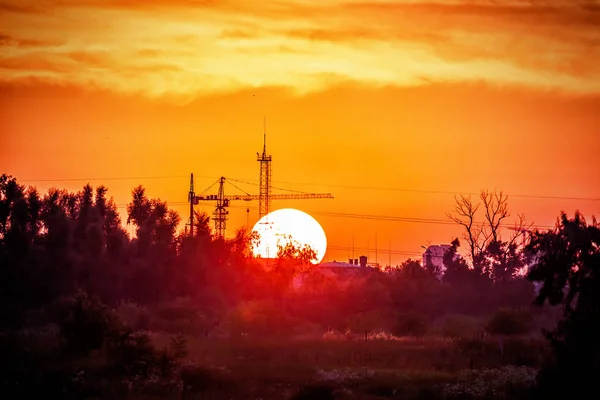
(276, 227)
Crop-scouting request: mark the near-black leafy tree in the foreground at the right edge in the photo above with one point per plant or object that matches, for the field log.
(567, 263)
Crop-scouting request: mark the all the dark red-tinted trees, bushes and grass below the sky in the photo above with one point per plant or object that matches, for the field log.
(89, 312)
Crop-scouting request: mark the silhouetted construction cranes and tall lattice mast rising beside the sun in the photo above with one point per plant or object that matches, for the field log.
(264, 197)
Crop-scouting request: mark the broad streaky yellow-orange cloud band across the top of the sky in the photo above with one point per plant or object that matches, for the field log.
(189, 48)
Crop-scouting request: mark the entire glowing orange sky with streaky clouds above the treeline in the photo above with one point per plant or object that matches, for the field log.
(443, 96)
